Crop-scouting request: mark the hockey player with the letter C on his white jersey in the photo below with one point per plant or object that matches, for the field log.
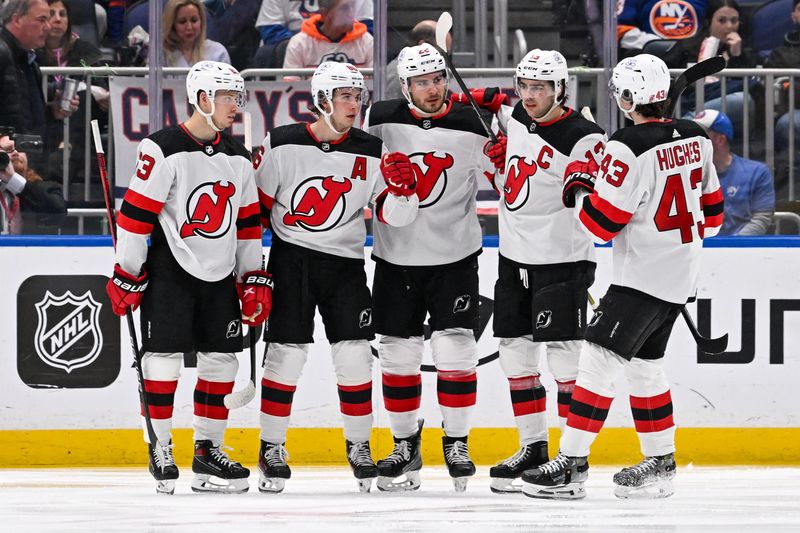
(546, 261)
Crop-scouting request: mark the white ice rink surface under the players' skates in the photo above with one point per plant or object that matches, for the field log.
(326, 499)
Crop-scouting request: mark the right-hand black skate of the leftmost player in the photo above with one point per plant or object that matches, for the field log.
(215, 472)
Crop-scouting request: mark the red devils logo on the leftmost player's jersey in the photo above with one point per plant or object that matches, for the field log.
(209, 210)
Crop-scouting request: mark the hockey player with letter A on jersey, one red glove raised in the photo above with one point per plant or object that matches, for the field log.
(314, 181)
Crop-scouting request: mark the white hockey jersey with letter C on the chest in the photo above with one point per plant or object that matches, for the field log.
(535, 227)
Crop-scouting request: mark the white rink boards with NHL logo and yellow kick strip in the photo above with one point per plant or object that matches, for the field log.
(69, 396)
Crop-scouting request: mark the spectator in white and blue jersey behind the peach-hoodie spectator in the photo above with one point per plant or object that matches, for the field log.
(279, 20)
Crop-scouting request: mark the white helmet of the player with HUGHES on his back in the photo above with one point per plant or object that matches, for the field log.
(637, 80)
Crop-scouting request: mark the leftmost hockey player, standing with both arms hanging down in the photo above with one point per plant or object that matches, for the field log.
(193, 195)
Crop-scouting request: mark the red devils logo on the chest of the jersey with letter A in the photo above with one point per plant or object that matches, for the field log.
(318, 204)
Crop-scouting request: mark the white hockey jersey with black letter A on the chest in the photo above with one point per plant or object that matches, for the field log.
(316, 191)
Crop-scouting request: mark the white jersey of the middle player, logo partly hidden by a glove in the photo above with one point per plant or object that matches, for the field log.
(447, 154)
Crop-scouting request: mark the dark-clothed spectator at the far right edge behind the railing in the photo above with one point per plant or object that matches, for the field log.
(788, 56)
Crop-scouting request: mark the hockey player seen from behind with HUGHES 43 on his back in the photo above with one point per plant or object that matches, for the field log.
(657, 195)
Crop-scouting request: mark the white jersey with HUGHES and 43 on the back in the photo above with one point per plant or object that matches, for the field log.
(657, 195)
